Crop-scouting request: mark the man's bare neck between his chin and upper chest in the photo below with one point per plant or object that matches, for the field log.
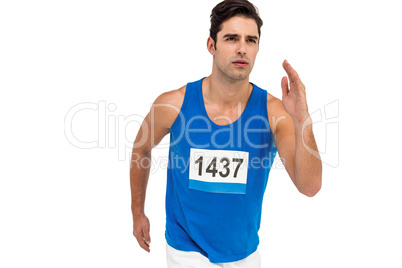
(226, 92)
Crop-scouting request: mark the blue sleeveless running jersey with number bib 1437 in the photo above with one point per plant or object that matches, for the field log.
(216, 178)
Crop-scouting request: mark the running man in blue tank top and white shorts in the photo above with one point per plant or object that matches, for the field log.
(224, 134)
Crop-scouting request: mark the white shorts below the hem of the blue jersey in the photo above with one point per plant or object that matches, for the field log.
(191, 259)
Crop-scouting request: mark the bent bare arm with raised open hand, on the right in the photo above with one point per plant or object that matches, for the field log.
(294, 136)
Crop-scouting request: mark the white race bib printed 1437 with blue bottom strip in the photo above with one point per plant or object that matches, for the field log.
(218, 171)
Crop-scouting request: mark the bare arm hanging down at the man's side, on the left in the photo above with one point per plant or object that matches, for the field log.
(155, 126)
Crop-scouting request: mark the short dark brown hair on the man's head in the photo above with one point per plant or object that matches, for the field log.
(230, 8)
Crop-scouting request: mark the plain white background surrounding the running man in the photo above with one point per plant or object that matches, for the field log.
(65, 206)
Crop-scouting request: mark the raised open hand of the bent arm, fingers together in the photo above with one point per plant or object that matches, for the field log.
(294, 98)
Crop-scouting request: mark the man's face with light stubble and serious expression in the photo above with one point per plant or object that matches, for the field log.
(236, 48)
